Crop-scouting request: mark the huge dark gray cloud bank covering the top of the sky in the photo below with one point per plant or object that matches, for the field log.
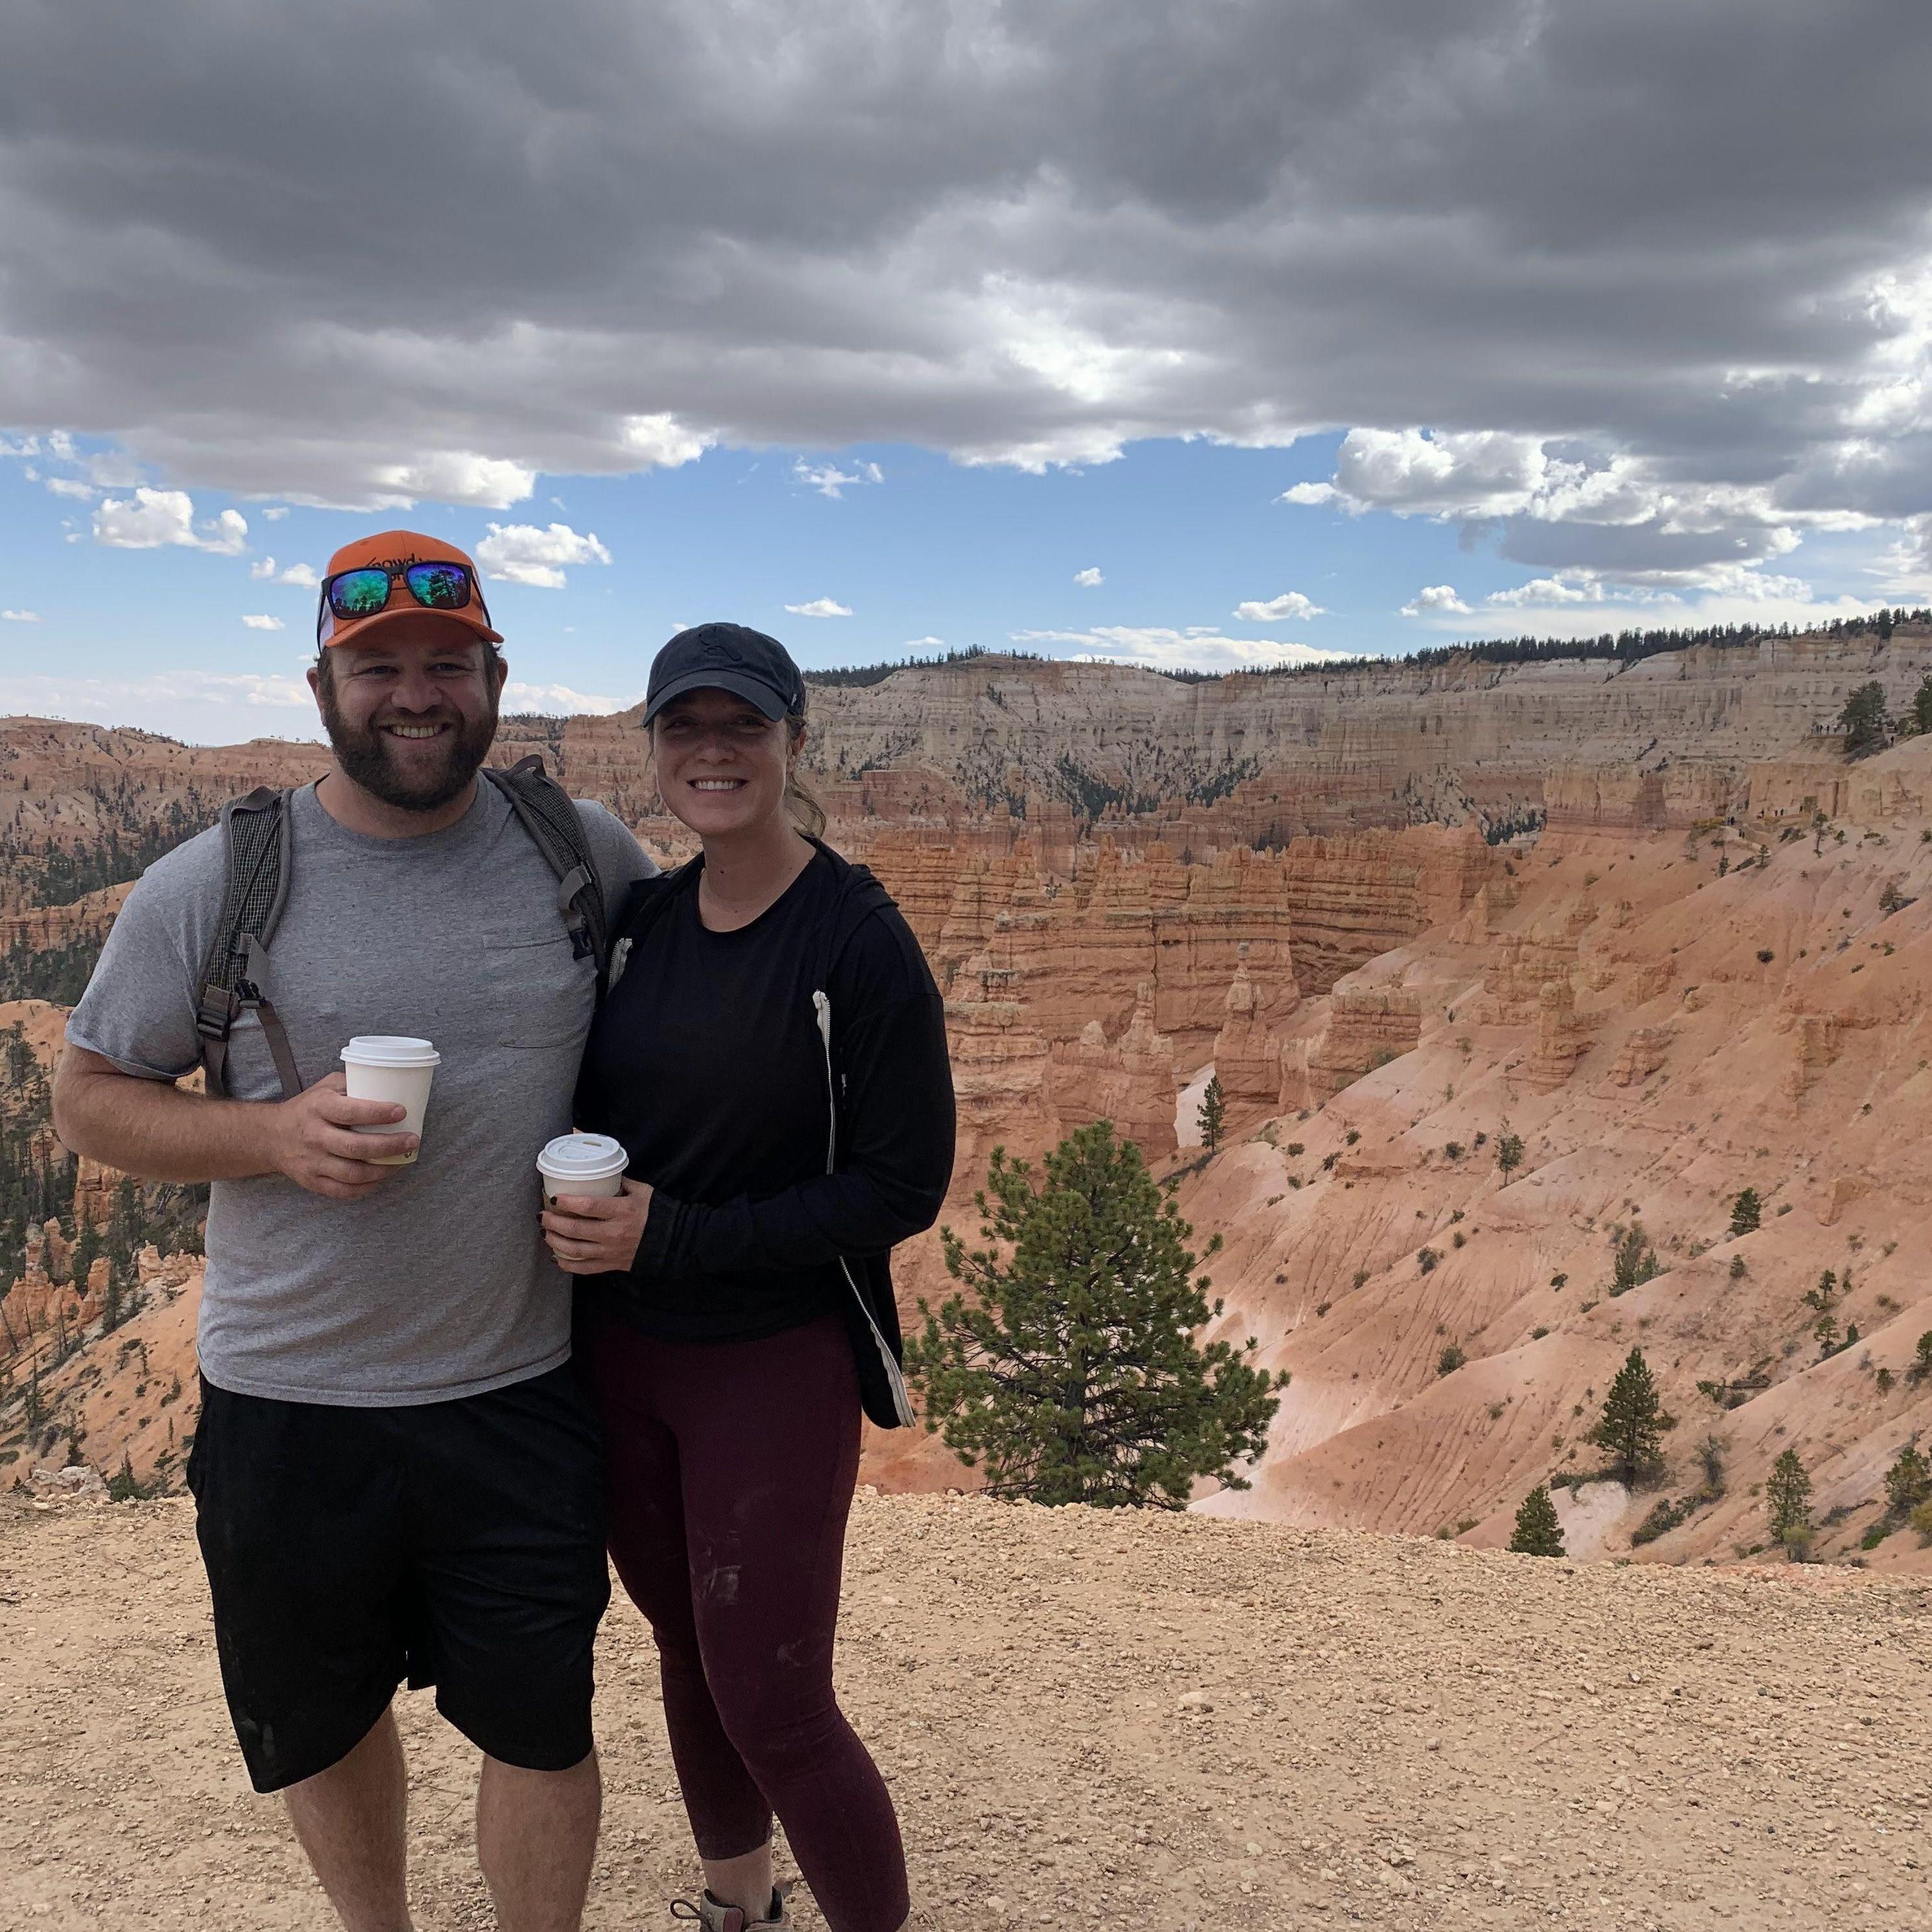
(1653, 271)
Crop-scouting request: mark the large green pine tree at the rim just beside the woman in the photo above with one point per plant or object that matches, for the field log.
(1071, 1373)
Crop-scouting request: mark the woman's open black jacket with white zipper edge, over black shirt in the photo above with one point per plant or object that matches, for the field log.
(890, 1123)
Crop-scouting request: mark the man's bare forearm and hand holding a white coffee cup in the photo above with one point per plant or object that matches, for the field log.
(163, 1133)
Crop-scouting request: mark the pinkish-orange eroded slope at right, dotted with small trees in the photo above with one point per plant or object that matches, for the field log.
(1765, 1025)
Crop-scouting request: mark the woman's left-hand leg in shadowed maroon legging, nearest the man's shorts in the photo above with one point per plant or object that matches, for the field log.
(623, 1373)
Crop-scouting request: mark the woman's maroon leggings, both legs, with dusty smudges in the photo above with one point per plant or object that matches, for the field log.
(731, 1473)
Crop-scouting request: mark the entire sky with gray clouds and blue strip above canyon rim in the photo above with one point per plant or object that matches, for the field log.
(1187, 331)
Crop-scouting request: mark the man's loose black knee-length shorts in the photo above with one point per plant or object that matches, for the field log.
(453, 1545)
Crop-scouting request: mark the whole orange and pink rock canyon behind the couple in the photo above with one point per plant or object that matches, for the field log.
(1643, 921)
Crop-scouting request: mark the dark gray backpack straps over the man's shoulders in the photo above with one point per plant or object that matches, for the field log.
(256, 845)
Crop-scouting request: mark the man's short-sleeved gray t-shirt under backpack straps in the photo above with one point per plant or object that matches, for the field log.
(438, 1284)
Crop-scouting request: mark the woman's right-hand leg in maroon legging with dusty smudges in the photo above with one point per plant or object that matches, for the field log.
(768, 1456)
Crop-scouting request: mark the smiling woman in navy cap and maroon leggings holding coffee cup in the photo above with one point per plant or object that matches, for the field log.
(774, 1060)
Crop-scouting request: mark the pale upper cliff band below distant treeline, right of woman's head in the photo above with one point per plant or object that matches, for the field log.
(1282, 754)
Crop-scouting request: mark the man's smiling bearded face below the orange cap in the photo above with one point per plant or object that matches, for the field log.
(412, 714)
